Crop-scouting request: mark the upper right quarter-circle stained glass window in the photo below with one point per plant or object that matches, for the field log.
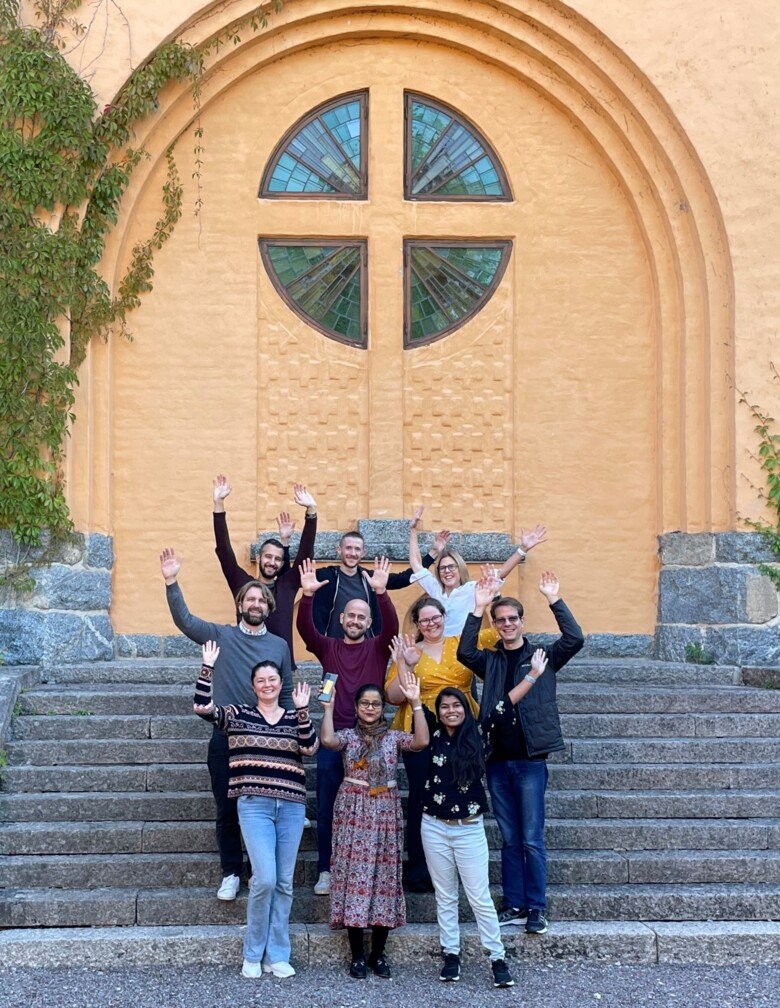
(448, 158)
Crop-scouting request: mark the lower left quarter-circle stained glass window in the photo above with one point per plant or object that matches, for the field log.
(324, 282)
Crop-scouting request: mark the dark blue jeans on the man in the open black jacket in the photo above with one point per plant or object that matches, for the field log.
(517, 793)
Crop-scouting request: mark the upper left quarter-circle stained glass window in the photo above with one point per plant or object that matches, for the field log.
(325, 155)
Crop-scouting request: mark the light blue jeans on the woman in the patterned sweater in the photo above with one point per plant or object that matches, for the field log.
(273, 829)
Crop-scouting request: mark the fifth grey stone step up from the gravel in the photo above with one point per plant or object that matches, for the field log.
(163, 806)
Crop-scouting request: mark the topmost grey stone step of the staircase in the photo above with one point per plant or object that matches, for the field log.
(640, 672)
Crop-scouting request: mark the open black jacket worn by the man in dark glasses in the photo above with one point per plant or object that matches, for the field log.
(539, 710)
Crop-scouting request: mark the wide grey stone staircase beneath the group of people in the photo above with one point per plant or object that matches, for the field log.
(664, 823)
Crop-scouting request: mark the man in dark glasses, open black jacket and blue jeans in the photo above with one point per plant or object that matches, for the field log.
(521, 735)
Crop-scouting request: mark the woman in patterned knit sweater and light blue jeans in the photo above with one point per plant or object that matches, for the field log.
(268, 777)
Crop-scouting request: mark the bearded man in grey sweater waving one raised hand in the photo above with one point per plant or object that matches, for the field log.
(242, 647)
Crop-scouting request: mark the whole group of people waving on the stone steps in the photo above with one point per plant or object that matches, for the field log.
(447, 741)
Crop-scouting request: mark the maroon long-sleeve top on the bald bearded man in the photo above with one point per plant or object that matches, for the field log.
(355, 665)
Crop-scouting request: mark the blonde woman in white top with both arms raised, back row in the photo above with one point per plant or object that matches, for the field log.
(448, 580)
